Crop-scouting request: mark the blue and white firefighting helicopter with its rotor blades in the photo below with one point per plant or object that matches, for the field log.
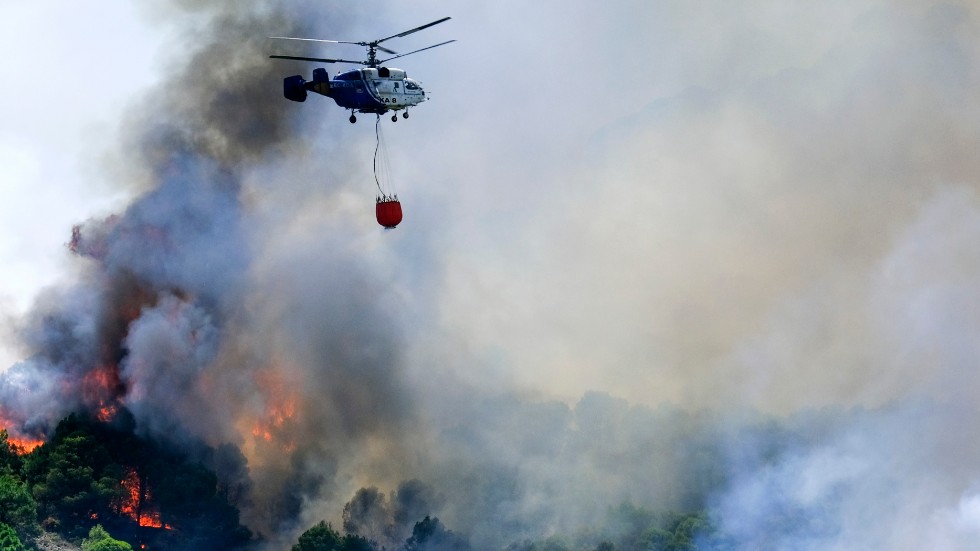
(373, 89)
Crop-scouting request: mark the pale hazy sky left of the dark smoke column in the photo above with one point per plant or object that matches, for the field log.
(69, 69)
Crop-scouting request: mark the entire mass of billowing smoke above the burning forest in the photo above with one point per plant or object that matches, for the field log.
(735, 270)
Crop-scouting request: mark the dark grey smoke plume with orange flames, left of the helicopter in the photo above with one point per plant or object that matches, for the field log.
(163, 322)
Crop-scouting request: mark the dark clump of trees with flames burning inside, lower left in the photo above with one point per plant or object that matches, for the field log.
(92, 472)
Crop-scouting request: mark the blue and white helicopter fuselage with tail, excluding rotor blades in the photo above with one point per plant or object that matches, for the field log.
(369, 90)
